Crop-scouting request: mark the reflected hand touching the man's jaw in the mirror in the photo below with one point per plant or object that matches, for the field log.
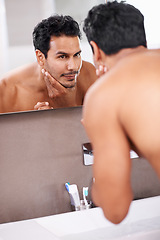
(55, 89)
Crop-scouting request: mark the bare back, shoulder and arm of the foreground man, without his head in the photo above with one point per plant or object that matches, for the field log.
(121, 111)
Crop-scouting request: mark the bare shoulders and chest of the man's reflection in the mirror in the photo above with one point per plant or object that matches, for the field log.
(22, 88)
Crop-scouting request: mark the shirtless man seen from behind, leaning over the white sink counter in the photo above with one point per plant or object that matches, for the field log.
(122, 109)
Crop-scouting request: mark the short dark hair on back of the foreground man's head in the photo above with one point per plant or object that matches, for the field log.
(114, 26)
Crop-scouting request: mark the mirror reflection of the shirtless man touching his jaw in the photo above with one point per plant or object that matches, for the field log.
(59, 78)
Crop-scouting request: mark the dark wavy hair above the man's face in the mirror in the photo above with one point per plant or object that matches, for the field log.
(56, 25)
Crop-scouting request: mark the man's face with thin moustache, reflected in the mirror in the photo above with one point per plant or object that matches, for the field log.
(64, 60)
